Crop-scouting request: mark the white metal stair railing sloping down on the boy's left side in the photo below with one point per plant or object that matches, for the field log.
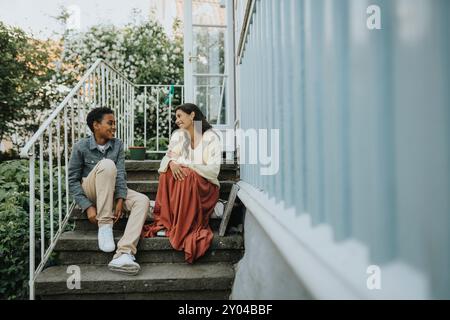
(101, 84)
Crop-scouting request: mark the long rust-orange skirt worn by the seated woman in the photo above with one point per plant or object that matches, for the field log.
(183, 208)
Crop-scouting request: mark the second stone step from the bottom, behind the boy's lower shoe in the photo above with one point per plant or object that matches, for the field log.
(76, 248)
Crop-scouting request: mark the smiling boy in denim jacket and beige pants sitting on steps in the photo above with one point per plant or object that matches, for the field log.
(97, 181)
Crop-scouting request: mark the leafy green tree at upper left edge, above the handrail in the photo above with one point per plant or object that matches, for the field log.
(25, 65)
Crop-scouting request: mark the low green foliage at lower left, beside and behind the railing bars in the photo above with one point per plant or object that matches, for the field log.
(14, 225)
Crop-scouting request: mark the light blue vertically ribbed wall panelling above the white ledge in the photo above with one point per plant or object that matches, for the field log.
(364, 121)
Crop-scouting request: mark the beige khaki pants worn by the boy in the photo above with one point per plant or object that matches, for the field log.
(99, 187)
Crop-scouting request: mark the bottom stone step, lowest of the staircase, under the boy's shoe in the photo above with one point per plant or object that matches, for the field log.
(171, 281)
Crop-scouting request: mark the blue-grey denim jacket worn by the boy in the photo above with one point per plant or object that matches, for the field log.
(85, 156)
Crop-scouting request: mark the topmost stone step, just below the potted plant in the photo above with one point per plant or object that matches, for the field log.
(148, 170)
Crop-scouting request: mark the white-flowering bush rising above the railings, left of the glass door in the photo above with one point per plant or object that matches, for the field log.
(142, 52)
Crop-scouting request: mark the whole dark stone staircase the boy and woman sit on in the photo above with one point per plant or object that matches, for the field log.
(164, 274)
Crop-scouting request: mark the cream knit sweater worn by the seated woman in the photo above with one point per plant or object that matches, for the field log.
(205, 159)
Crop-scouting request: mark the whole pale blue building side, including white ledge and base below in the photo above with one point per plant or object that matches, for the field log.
(358, 90)
